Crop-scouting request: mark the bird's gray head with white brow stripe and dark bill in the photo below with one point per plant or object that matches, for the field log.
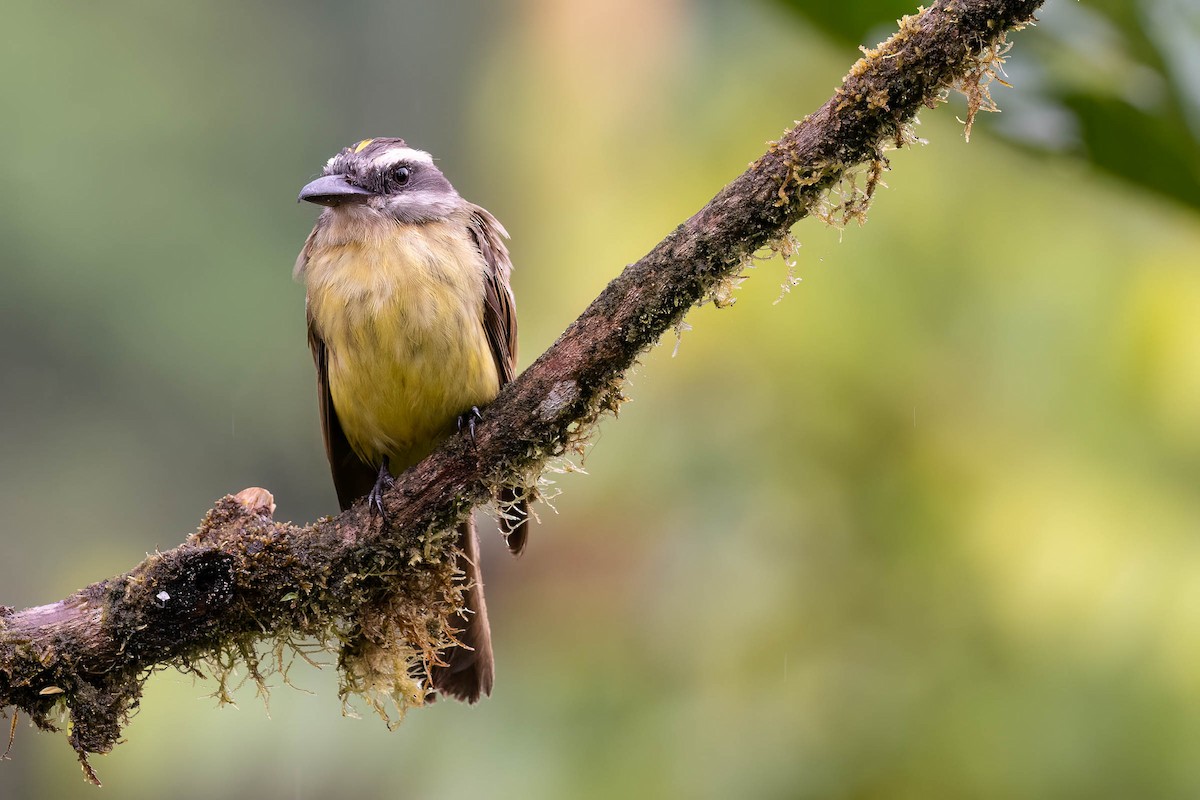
(387, 177)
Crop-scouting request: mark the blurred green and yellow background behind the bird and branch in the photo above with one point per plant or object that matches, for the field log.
(927, 528)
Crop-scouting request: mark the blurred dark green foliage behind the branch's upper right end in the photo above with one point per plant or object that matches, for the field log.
(1114, 82)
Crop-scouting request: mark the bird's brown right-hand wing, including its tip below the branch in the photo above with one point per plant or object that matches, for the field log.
(501, 326)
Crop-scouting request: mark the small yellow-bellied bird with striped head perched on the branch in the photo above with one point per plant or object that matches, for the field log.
(412, 326)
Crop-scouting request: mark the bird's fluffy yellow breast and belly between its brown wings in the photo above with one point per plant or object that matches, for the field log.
(401, 316)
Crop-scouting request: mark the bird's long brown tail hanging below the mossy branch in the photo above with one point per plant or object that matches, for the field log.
(471, 667)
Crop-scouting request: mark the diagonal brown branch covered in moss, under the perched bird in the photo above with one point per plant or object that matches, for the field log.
(381, 596)
